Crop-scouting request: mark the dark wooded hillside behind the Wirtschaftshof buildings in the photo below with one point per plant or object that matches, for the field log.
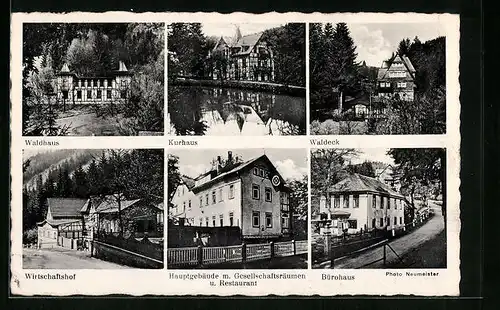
(137, 174)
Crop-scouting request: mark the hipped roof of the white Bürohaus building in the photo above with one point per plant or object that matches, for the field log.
(361, 183)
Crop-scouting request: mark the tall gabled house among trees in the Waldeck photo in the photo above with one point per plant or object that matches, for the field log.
(396, 79)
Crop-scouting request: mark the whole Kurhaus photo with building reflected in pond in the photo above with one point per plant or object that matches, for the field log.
(237, 79)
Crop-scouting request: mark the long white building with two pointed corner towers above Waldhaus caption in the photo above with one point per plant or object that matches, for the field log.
(75, 89)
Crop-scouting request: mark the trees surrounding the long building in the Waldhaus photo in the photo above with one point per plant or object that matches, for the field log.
(94, 50)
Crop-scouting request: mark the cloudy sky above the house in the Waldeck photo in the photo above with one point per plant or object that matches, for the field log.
(376, 42)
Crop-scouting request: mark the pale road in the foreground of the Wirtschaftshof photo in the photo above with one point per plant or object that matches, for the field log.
(61, 258)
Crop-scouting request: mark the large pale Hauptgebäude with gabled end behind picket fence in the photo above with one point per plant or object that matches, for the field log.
(251, 195)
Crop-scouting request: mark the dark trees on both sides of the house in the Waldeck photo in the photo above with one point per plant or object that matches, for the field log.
(335, 72)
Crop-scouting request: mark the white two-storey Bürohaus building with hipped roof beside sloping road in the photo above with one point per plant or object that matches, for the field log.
(360, 203)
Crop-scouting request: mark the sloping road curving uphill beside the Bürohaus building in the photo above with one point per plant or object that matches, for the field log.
(401, 245)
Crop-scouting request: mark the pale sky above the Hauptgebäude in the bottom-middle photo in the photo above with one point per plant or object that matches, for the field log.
(291, 163)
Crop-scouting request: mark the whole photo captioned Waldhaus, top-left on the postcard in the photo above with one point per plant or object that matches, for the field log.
(93, 79)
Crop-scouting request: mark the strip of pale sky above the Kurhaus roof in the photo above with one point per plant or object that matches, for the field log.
(229, 29)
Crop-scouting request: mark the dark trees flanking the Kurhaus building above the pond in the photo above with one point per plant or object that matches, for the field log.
(189, 49)
